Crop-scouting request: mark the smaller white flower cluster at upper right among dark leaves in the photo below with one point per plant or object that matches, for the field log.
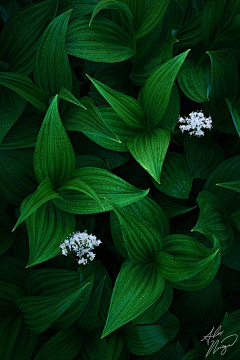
(195, 123)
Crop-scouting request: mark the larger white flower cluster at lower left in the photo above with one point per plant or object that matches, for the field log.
(82, 244)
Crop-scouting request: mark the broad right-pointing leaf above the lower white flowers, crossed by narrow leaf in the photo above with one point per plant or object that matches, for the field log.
(105, 185)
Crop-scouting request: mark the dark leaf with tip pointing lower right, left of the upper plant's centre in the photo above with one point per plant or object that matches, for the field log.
(90, 121)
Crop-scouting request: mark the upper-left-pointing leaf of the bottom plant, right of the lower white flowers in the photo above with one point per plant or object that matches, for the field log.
(142, 240)
